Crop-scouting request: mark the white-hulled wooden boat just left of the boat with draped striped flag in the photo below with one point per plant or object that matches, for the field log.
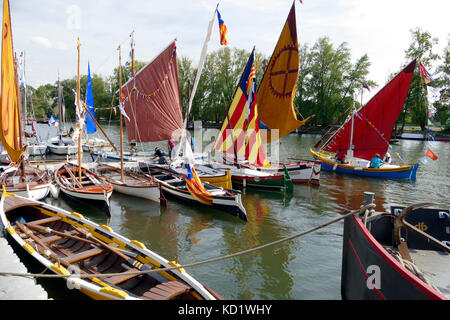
(133, 184)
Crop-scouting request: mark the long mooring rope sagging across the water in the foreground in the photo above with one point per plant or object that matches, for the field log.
(92, 275)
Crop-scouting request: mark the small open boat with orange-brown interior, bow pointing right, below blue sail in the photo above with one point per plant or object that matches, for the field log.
(91, 189)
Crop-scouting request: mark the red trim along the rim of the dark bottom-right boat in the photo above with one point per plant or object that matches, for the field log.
(430, 292)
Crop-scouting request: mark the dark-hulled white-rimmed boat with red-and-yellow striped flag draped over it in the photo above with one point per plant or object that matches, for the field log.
(174, 185)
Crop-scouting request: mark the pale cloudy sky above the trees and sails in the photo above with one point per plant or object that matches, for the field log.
(47, 30)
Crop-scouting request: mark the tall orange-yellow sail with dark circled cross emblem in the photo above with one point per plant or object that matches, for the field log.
(277, 89)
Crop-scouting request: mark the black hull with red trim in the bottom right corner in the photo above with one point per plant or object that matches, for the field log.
(370, 272)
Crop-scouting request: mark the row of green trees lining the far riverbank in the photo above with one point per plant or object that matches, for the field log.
(329, 84)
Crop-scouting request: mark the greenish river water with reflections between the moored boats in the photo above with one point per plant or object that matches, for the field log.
(302, 269)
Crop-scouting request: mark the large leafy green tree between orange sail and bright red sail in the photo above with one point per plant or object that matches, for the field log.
(328, 80)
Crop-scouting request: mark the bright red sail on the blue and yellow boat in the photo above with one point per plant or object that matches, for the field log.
(374, 122)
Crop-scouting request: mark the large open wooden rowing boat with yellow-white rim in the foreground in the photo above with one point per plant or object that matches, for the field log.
(62, 242)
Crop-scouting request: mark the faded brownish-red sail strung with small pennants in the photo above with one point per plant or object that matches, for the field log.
(152, 101)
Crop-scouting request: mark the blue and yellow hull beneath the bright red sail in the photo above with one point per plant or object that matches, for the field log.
(398, 172)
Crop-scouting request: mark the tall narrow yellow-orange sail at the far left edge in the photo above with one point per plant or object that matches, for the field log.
(9, 113)
